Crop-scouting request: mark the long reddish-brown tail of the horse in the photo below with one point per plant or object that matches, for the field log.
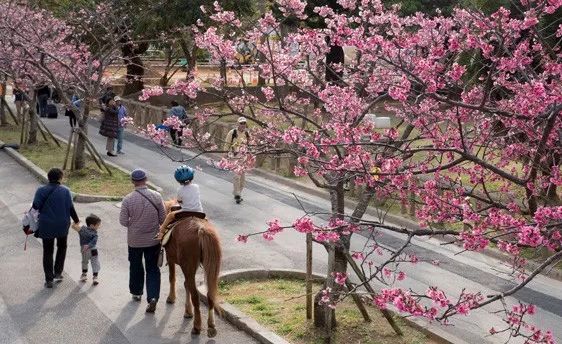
(211, 259)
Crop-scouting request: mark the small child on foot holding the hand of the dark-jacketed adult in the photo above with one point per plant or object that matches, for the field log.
(88, 245)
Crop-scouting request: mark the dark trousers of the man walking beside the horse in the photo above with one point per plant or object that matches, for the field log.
(136, 271)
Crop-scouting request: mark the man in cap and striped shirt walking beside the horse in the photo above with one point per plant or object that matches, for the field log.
(142, 212)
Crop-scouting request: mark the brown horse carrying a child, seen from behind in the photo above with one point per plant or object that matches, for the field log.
(195, 241)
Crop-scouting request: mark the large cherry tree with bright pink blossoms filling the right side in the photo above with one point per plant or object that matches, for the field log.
(476, 101)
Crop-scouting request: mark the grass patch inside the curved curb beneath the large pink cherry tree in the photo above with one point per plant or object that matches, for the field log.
(279, 304)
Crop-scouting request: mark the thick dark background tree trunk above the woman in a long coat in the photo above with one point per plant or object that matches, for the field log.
(135, 67)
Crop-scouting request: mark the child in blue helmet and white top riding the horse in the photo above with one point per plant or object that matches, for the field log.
(188, 196)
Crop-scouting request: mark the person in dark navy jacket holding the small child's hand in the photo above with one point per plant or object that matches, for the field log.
(54, 203)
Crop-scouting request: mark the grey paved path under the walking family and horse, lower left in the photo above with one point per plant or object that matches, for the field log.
(75, 312)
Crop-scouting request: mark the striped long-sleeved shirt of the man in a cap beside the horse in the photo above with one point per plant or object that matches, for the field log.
(141, 218)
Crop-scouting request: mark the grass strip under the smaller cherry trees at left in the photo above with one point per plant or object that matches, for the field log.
(90, 180)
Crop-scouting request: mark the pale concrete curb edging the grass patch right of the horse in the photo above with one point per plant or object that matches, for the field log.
(265, 336)
